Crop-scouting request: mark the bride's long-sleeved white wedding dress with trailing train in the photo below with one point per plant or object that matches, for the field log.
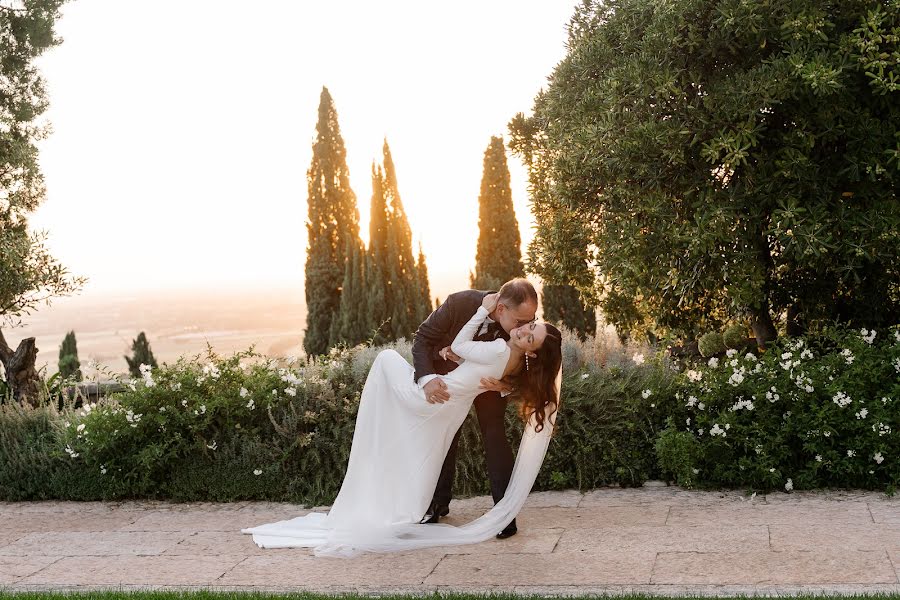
(398, 449)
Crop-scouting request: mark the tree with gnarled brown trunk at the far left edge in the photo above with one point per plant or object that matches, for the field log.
(29, 275)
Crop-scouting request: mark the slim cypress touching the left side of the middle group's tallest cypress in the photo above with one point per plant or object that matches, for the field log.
(378, 285)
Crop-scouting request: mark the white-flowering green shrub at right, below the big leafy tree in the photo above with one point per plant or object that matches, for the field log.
(809, 412)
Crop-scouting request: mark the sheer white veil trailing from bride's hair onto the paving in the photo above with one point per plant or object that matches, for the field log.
(411, 536)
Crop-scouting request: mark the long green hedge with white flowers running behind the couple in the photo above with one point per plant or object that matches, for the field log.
(246, 427)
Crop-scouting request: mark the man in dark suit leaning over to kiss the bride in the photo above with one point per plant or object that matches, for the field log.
(516, 305)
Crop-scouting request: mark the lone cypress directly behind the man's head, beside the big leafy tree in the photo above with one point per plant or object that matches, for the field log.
(499, 255)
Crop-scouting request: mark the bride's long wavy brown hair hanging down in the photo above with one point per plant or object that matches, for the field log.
(536, 386)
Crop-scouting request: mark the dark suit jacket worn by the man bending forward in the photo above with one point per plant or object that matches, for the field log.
(440, 329)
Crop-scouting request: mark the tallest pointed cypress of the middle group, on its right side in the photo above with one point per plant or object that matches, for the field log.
(401, 266)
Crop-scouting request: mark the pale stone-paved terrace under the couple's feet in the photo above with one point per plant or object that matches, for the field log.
(655, 539)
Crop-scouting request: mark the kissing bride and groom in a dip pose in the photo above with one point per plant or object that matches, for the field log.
(477, 347)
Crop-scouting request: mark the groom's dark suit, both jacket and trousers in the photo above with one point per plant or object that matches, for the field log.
(437, 332)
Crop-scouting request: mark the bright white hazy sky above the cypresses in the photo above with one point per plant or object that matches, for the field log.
(182, 131)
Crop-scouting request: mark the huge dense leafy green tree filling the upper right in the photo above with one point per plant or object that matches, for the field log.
(697, 161)
